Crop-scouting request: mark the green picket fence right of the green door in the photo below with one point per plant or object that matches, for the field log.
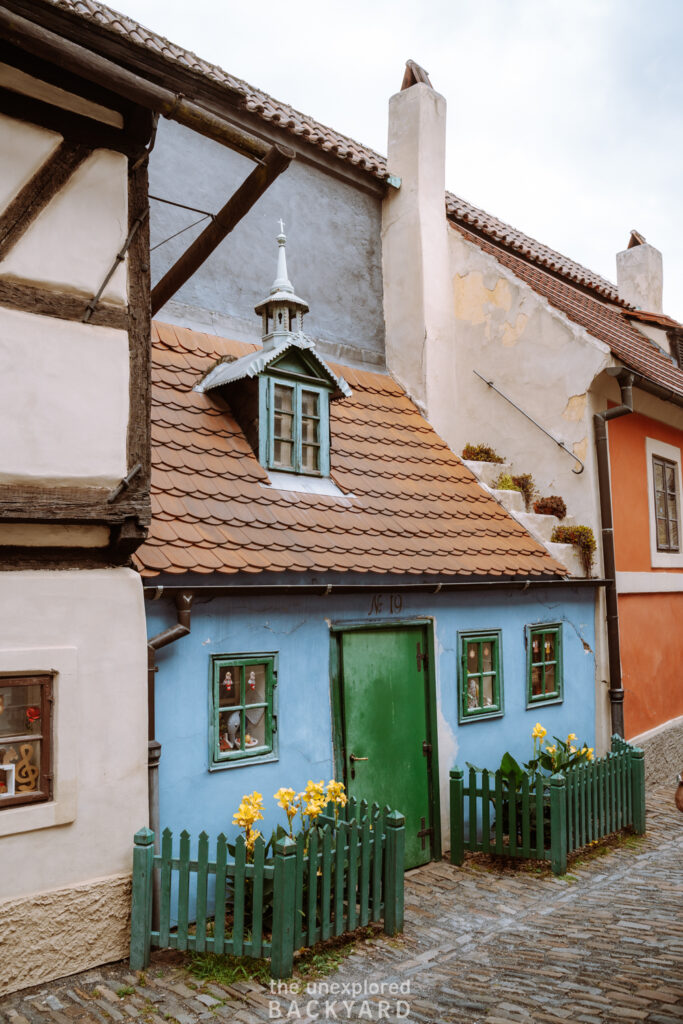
(547, 819)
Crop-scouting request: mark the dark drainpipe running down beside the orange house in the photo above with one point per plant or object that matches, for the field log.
(601, 420)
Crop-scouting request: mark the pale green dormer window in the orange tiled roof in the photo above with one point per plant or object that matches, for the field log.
(297, 418)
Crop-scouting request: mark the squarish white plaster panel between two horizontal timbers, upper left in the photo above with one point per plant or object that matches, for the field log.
(64, 417)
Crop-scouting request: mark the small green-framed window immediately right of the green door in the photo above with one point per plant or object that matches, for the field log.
(481, 676)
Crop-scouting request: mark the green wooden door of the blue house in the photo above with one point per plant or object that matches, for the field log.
(386, 691)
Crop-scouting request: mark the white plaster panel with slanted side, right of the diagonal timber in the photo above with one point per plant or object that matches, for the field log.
(74, 241)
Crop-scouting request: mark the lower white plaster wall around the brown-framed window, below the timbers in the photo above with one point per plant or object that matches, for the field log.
(99, 614)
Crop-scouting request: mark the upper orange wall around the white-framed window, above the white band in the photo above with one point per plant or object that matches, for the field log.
(629, 482)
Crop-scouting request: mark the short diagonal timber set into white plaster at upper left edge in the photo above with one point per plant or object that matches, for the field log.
(38, 192)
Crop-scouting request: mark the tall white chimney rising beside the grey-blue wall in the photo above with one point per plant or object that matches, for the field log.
(415, 251)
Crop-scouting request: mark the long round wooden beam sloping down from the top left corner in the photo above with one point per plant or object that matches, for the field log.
(79, 61)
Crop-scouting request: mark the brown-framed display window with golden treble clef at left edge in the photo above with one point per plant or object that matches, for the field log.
(26, 705)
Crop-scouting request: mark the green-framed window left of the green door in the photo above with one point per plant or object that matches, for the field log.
(244, 710)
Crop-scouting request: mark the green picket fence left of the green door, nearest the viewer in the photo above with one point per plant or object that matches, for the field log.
(351, 874)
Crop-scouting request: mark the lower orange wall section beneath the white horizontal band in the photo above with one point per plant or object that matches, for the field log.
(652, 639)
